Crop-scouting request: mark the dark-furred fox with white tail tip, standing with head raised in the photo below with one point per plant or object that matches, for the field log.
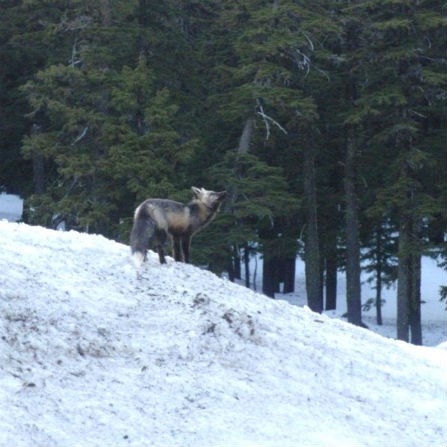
(157, 219)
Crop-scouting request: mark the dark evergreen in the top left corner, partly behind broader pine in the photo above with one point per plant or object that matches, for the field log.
(26, 45)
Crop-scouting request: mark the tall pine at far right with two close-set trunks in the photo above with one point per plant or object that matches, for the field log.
(401, 100)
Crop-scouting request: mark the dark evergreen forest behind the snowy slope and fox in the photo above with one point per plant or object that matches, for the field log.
(324, 121)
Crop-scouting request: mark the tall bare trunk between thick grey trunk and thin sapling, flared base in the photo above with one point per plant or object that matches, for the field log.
(353, 289)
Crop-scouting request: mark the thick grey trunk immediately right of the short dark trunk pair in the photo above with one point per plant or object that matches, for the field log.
(311, 248)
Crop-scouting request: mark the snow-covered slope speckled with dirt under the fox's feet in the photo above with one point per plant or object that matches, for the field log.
(91, 356)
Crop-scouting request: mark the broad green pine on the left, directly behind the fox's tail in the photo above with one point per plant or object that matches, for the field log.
(103, 124)
